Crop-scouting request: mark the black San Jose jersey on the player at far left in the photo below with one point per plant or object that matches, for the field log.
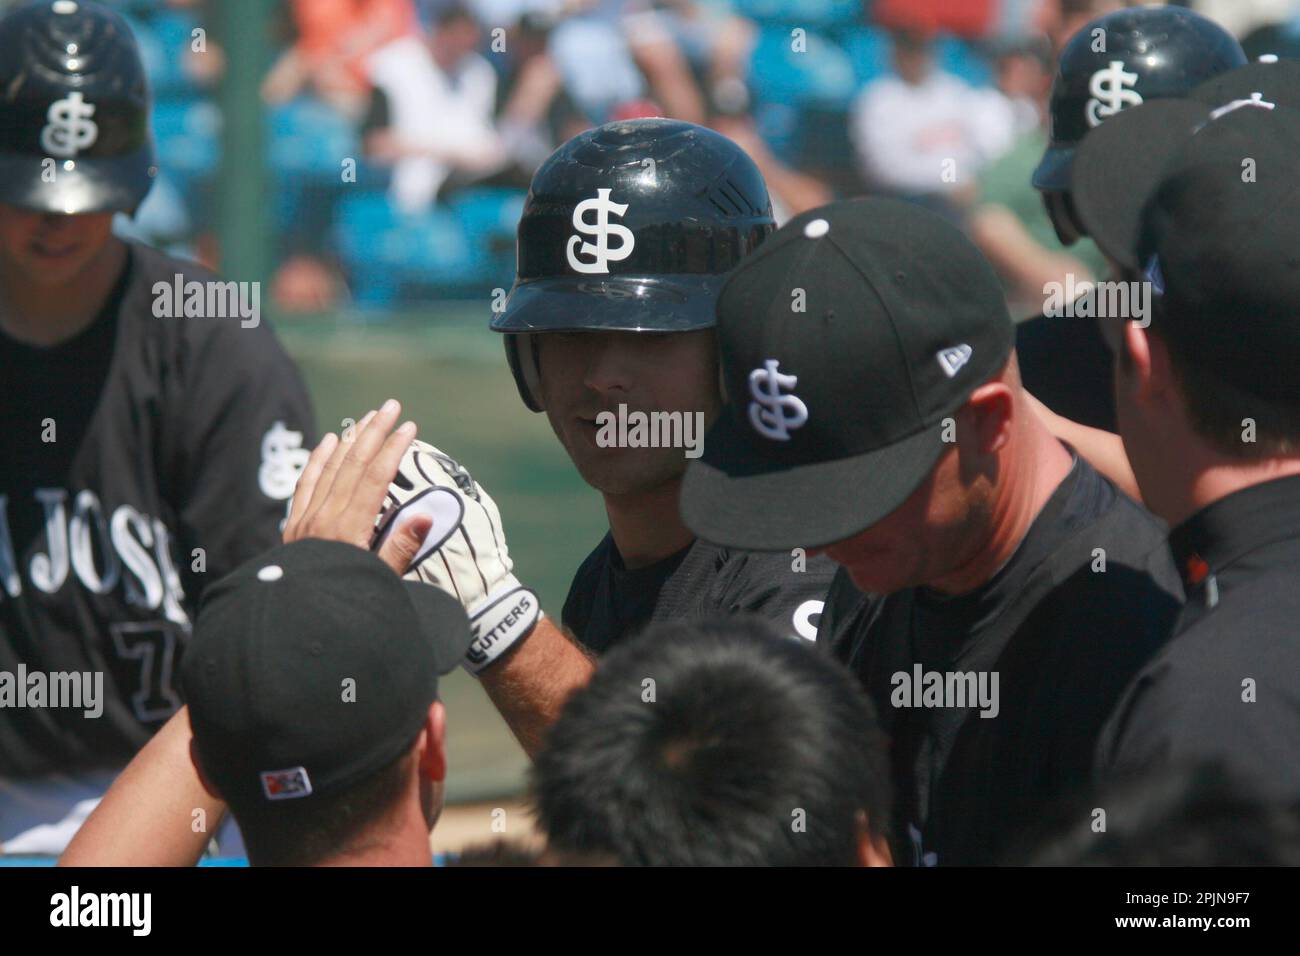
(142, 460)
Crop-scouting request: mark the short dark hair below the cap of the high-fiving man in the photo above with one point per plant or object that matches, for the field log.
(305, 833)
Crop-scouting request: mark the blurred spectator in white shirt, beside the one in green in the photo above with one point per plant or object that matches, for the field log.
(922, 133)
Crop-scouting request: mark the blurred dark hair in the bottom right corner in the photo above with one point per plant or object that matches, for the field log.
(1180, 816)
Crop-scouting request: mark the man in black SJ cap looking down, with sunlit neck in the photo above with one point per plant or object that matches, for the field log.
(996, 594)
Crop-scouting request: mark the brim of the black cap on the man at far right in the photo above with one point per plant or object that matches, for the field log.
(1120, 167)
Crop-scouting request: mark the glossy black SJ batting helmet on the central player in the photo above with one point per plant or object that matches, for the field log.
(631, 227)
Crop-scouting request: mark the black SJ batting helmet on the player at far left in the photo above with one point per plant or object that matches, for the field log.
(75, 111)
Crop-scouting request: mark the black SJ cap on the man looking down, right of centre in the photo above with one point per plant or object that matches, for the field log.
(835, 412)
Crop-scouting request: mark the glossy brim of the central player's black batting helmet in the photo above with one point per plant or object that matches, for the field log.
(616, 304)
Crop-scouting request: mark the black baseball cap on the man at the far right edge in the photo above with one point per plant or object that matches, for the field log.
(1208, 215)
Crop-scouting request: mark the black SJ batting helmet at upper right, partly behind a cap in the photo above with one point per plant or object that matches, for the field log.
(1119, 62)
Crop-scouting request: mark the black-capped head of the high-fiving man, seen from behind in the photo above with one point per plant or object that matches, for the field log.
(322, 742)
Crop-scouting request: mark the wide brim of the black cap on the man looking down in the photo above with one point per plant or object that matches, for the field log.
(735, 499)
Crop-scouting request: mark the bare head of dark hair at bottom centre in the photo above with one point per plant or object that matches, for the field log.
(748, 749)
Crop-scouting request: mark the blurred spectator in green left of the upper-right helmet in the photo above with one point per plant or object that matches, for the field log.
(1009, 222)
